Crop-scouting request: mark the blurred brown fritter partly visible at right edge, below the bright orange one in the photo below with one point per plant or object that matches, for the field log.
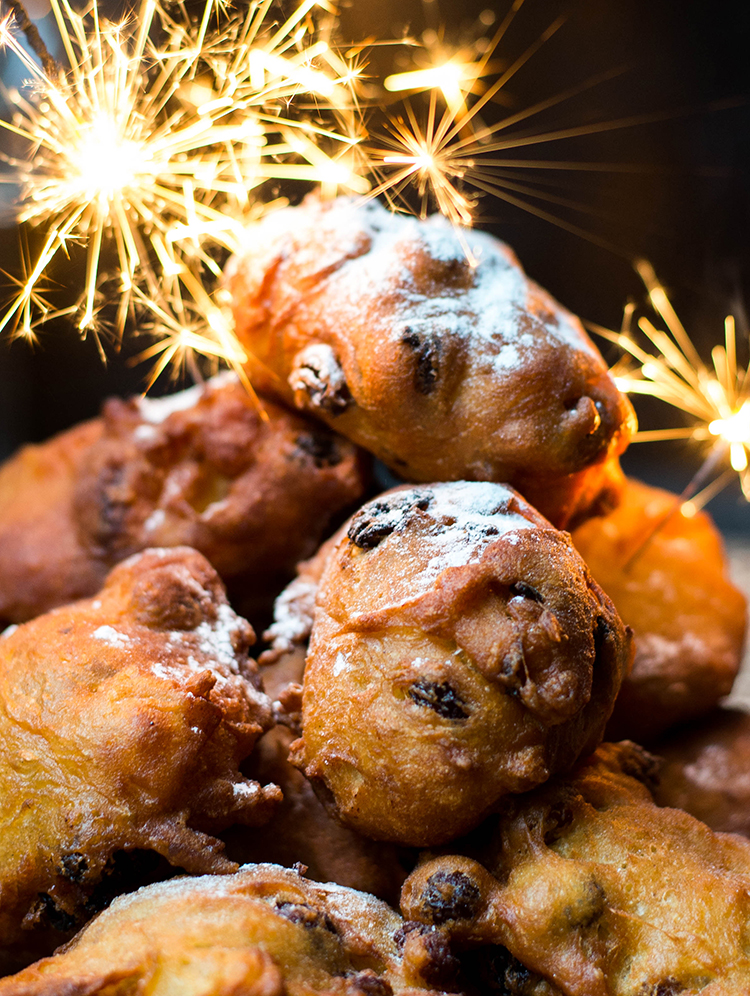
(706, 770)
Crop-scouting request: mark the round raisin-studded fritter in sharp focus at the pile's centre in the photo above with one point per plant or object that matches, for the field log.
(460, 651)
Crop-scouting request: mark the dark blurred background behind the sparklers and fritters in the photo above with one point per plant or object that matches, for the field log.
(680, 197)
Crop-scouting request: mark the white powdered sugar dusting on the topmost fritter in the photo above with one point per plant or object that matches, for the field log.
(490, 310)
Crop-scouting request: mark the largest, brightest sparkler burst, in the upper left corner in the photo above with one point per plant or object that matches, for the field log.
(147, 148)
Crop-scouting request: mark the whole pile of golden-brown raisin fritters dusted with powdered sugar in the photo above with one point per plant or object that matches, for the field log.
(431, 723)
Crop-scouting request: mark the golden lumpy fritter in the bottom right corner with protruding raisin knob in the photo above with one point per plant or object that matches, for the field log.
(590, 888)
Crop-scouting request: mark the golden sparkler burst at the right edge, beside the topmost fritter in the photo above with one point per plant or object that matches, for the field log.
(718, 398)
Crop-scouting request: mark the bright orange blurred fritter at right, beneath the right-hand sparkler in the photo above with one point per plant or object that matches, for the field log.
(671, 586)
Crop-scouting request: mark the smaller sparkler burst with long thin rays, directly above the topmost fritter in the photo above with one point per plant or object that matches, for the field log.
(452, 156)
